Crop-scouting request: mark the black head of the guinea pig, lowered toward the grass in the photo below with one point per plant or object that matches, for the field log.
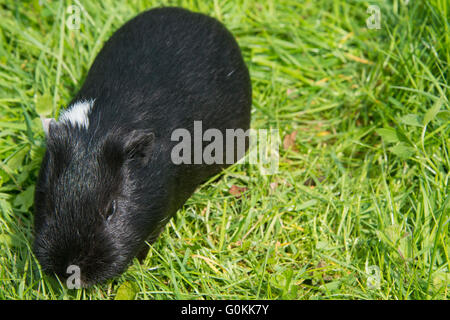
(91, 202)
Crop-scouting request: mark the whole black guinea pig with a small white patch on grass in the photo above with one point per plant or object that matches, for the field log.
(108, 181)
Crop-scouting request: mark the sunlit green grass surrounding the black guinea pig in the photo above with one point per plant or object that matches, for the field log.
(359, 208)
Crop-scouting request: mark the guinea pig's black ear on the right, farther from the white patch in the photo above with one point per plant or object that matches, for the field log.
(139, 145)
